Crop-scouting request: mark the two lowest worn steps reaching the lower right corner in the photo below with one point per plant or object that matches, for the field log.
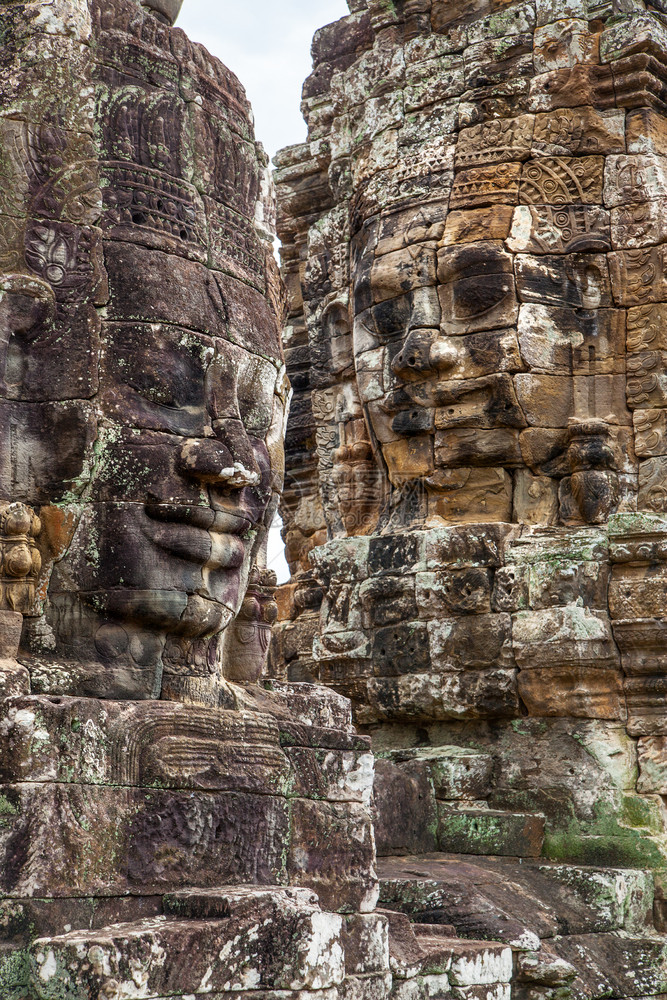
(576, 932)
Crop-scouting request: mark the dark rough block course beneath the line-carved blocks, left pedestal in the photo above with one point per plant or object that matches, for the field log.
(146, 841)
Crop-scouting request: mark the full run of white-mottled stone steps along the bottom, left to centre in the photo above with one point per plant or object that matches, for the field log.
(265, 943)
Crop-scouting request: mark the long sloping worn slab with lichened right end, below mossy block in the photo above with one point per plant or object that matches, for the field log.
(518, 902)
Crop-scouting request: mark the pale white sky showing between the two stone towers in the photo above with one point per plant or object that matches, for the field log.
(267, 44)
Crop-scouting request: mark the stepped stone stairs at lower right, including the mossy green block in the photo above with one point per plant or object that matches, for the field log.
(576, 932)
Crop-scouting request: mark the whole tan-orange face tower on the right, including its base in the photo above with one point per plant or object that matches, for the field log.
(481, 188)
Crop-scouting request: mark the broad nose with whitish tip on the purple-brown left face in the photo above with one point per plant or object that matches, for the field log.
(227, 460)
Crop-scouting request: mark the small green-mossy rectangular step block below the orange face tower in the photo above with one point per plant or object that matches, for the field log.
(490, 831)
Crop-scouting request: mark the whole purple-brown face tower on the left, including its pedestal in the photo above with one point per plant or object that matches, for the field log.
(142, 416)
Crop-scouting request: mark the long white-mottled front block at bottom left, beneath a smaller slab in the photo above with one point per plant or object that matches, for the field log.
(215, 953)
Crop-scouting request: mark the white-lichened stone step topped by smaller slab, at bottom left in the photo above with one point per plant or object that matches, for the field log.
(257, 939)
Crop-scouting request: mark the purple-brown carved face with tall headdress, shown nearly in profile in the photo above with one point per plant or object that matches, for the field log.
(143, 391)
